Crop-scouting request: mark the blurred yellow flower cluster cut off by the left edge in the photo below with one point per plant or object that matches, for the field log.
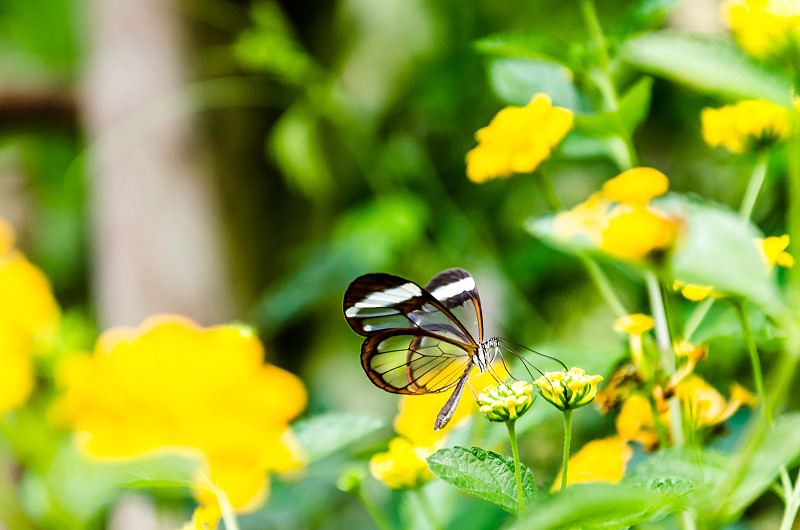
(29, 318)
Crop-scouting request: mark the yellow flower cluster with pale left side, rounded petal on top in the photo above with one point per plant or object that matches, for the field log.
(619, 219)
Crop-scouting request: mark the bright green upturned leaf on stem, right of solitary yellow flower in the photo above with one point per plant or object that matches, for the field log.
(633, 109)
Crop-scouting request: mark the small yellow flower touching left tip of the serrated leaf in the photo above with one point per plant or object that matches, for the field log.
(403, 466)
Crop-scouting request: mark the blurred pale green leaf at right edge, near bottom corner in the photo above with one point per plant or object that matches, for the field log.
(780, 447)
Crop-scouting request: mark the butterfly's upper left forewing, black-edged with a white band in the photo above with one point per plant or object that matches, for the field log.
(376, 302)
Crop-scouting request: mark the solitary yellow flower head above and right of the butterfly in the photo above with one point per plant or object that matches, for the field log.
(518, 139)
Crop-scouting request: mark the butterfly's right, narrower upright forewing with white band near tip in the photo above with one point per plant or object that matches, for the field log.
(456, 290)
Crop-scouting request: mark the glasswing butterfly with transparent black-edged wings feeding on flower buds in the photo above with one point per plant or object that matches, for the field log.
(420, 340)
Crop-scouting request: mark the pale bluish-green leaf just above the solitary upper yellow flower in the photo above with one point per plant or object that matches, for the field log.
(515, 80)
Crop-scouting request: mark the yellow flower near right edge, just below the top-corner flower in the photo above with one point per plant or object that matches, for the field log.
(746, 126)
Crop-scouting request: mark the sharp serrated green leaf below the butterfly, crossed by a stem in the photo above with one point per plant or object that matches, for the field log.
(484, 474)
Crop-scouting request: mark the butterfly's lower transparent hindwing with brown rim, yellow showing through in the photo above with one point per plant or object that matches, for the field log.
(414, 361)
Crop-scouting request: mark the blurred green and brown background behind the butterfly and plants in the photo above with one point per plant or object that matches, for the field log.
(245, 160)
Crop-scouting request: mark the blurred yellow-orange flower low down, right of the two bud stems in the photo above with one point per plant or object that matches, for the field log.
(598, 461)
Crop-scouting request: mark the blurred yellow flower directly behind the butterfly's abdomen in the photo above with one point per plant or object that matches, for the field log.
(416, 417)
